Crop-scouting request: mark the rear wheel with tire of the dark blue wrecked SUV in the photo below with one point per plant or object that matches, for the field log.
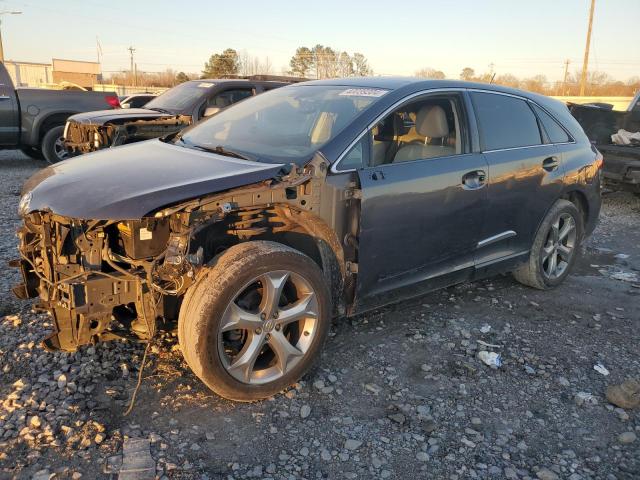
(548, 243)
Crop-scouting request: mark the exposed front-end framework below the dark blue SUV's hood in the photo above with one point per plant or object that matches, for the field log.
(107, 279)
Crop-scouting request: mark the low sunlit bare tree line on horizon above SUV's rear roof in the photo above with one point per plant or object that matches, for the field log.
(599, 84)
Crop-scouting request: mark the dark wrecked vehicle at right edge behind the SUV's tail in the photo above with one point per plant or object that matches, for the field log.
(621, 162)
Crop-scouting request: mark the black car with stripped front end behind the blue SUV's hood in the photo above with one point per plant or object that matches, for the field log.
(168, 113)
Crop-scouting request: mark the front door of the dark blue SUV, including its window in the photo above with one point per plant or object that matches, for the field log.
(423, 201)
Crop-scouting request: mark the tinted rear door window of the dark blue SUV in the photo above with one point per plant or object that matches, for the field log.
(505, 122)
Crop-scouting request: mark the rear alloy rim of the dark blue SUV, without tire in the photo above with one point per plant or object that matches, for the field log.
(559, 246)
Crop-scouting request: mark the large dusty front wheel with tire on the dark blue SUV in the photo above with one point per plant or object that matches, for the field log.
(231, 292)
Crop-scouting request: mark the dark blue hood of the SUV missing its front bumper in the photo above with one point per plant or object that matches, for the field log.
(129, 182)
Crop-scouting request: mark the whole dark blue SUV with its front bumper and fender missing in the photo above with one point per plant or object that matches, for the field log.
(318, 200)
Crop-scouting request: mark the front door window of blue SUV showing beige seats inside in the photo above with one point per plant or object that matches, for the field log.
(422, 129)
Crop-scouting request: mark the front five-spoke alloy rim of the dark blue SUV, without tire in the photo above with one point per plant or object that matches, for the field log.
(268, 327)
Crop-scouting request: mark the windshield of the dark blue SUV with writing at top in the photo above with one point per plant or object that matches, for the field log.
(282, 124)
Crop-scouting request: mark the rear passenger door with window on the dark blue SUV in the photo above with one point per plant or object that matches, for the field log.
(525, 174)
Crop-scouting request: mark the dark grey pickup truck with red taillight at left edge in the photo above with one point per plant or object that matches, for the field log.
(32, 119)
